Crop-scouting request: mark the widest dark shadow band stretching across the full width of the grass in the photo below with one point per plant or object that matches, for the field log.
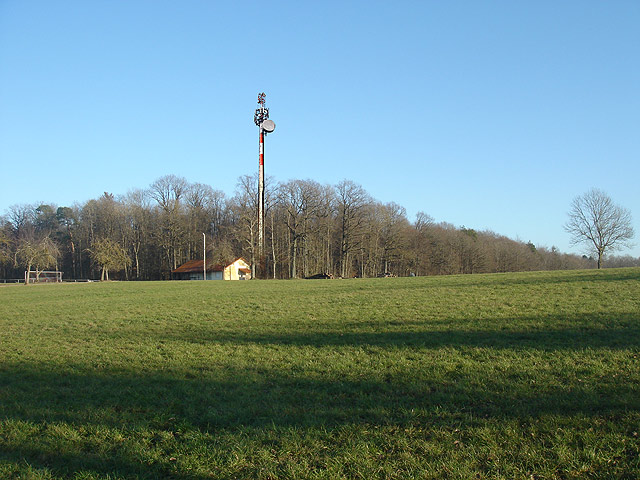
(259, 397)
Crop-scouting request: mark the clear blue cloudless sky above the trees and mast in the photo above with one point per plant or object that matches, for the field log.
(492, 115)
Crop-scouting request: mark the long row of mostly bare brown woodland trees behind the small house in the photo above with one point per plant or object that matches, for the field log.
(311, 229)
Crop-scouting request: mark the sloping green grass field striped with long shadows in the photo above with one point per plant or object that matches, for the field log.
(532, 376)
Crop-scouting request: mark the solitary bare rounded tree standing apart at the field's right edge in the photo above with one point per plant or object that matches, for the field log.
(598, 223)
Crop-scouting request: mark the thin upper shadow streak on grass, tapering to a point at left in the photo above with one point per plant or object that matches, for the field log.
(588, 332)
